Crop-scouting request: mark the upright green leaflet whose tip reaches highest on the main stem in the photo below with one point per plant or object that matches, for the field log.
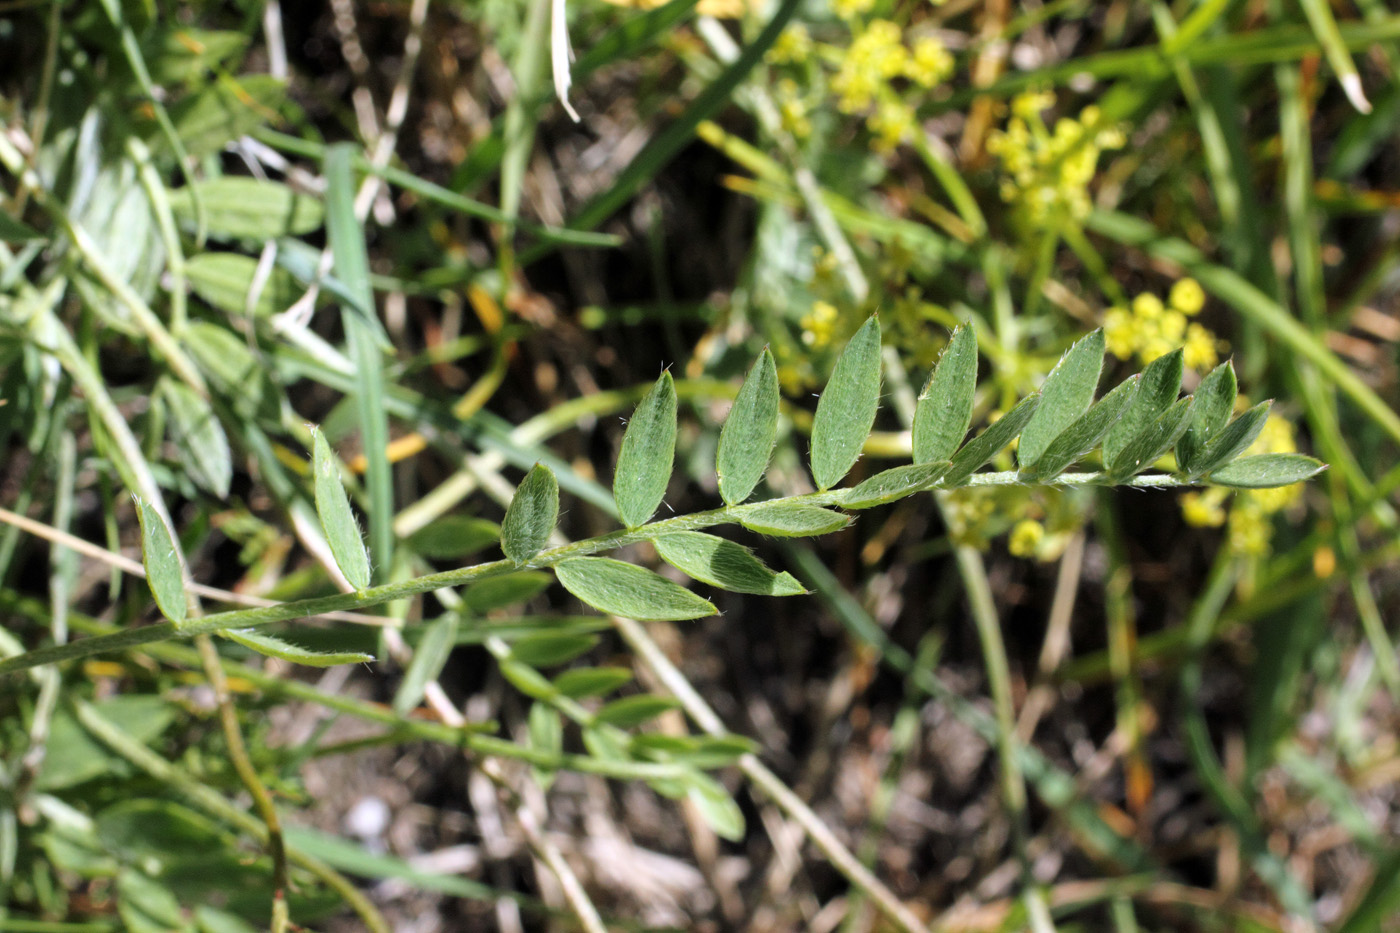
(846, 413)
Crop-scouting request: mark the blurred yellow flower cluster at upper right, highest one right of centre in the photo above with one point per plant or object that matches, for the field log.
(1049, 172)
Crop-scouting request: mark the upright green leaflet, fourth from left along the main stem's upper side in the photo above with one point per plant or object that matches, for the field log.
(647, 452)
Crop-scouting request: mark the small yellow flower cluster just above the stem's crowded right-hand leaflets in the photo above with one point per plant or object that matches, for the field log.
(1150, 329)
